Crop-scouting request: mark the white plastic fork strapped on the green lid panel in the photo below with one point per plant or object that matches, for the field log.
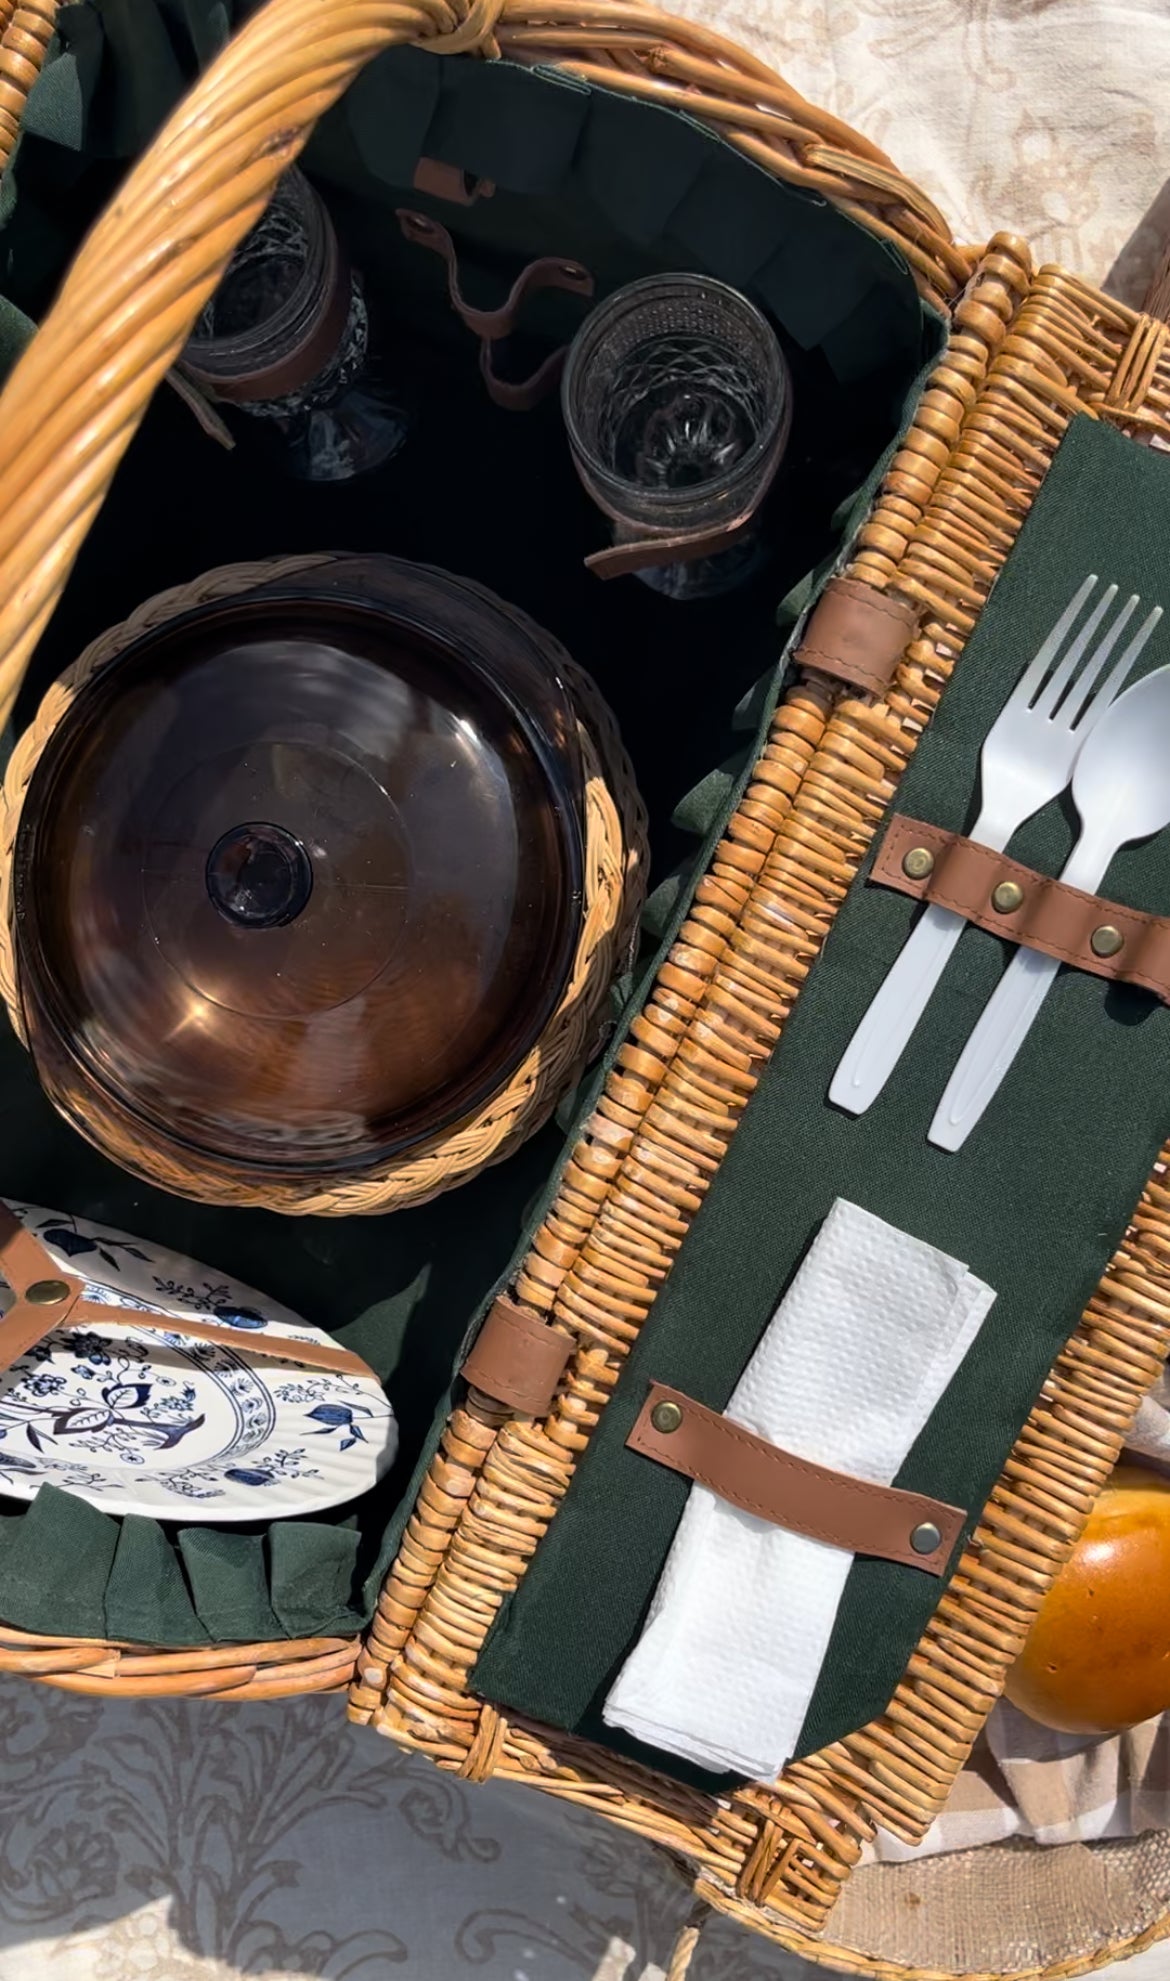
(1026, 760)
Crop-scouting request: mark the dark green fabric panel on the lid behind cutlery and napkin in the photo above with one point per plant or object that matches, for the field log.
(1034, 1201)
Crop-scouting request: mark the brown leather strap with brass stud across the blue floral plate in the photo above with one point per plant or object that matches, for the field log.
(50, 1299)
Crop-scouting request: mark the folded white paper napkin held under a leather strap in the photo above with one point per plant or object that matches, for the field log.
(846, 1376)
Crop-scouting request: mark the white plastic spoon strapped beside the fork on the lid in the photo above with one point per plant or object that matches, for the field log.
(1121, 789)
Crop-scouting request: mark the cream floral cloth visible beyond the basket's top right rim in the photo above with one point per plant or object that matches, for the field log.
(1042, 118)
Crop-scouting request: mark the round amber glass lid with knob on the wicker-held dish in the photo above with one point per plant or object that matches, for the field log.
(296, 883)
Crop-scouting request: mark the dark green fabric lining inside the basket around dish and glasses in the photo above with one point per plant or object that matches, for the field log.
(627, 189)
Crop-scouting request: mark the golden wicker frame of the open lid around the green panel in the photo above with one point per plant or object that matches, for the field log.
(1028, 356)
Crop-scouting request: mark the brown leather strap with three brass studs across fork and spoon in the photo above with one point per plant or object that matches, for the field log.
(1036, 910)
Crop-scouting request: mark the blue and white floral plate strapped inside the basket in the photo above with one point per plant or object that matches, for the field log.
(149, 1423)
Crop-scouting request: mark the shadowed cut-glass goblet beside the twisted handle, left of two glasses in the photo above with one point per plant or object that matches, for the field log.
(288, 340)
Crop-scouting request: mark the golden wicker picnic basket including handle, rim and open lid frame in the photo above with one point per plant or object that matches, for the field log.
(1026, 352)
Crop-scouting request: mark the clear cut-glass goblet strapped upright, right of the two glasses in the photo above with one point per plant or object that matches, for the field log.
(678, 405)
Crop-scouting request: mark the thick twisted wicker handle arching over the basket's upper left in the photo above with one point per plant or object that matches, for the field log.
(142, 278)
